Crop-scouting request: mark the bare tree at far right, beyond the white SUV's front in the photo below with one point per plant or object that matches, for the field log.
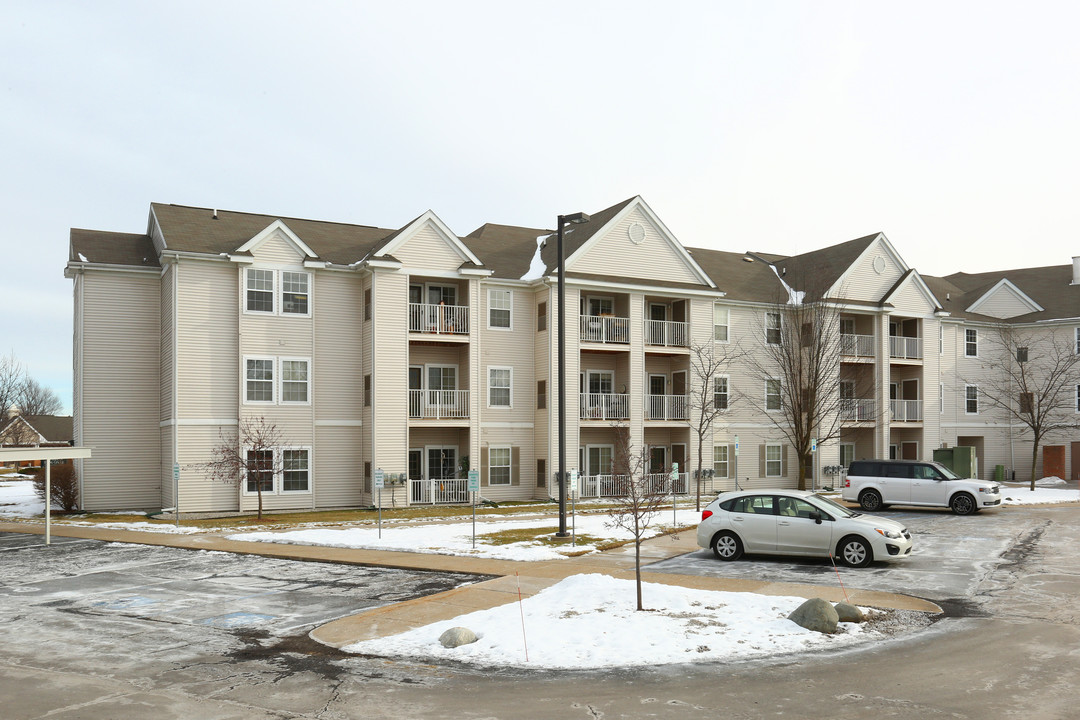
(1032, 378)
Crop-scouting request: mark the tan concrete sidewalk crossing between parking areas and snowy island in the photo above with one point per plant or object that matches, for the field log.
(509, 578)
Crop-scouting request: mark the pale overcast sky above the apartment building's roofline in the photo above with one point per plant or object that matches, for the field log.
(776, 127)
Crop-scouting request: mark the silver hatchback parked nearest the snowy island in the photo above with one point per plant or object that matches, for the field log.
(798, 523)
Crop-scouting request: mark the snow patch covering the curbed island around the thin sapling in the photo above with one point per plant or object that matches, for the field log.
(590, 622)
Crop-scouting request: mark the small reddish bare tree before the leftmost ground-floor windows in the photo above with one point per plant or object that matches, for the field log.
(248, 457)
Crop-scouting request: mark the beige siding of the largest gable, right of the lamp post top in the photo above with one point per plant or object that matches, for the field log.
(653, 260)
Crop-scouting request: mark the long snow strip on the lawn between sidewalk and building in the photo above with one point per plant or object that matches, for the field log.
(456, 538)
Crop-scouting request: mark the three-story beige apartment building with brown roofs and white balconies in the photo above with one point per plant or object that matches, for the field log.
(424, 355)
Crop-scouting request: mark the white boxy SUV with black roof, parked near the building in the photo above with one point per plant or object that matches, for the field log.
(877, 484)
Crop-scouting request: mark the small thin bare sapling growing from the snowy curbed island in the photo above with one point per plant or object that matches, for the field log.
(639, 499)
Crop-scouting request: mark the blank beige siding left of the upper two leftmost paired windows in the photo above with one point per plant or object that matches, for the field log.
(208, 365)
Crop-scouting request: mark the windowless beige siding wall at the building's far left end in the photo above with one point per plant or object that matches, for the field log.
(121, 390)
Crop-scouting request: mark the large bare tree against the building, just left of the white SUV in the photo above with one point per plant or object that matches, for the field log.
(800, 369)
